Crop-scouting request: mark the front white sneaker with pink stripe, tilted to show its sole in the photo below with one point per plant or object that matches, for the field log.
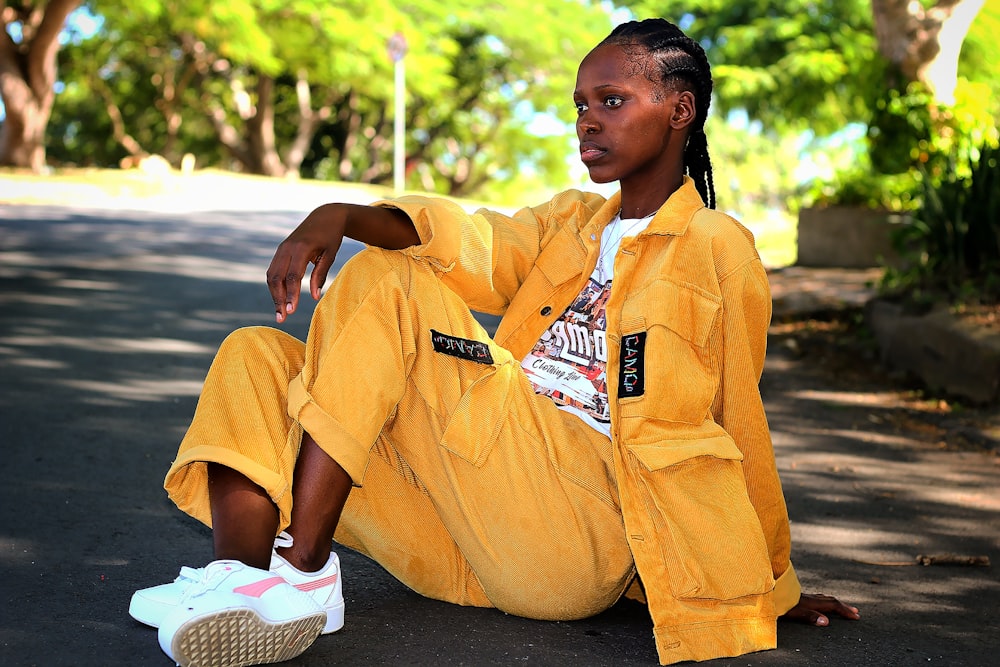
(235, 615)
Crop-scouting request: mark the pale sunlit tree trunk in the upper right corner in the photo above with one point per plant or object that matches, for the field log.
(925, 43)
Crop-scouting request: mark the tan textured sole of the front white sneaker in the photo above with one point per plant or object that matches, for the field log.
(240, 637)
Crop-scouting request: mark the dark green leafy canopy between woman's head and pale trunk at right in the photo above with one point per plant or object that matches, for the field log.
(791, 64)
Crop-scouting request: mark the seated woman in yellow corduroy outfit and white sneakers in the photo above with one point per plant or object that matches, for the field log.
(610, 438)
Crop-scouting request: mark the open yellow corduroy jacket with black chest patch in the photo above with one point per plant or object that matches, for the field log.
(687, 321)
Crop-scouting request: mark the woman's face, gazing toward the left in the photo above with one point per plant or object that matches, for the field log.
(624, 119)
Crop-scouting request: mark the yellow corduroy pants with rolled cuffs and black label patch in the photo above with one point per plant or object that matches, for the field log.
(469, 487)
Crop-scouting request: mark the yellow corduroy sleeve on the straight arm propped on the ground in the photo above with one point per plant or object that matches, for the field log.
(738, 408)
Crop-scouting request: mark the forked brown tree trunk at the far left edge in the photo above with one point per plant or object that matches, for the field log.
(27, 77)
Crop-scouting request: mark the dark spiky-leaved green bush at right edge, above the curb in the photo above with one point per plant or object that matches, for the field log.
(951, 245)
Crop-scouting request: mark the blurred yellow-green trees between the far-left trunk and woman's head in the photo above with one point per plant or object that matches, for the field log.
(187, 78)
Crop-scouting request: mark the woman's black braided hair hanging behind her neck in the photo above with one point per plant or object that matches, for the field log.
(679, 59)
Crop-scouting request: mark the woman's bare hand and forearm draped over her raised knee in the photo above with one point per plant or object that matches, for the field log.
(318, 238)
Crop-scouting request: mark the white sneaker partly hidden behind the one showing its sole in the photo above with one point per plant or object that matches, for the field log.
(151, 605)
